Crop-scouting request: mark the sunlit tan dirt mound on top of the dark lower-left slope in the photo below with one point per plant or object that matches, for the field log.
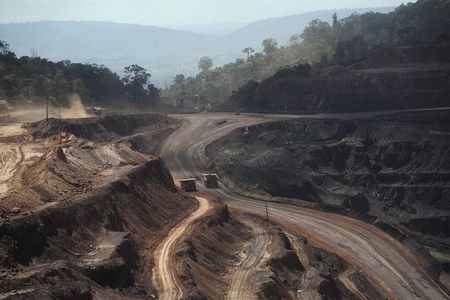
(63, 172)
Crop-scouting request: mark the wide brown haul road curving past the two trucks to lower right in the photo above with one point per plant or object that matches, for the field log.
(381, 257)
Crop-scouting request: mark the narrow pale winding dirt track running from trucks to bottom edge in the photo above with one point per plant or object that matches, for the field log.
(164, 278)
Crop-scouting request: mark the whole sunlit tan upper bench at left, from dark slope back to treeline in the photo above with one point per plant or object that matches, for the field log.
(55, 160)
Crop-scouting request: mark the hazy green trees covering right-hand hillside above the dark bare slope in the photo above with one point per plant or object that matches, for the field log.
(349, 39)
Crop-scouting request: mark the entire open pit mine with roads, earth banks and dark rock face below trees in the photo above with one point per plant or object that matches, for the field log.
(225, 206)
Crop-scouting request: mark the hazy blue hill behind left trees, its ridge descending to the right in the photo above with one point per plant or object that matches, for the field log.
(166, 52)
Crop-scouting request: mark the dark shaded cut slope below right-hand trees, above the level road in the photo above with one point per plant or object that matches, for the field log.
(400, 78)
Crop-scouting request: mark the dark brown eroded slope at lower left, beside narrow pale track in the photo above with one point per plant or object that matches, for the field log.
(95, 243)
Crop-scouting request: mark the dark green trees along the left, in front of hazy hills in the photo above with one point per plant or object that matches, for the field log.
(28, 80)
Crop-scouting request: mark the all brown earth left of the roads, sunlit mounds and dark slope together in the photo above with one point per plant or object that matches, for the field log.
(81, 214)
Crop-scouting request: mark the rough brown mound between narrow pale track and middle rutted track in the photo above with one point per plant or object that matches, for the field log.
(206, 253)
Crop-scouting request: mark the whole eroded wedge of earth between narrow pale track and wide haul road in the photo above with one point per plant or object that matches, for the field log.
(229, 255)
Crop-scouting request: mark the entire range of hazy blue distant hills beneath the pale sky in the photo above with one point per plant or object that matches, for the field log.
(165, 52)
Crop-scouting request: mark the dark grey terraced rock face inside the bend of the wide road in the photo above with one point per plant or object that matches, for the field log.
(395, 167)
